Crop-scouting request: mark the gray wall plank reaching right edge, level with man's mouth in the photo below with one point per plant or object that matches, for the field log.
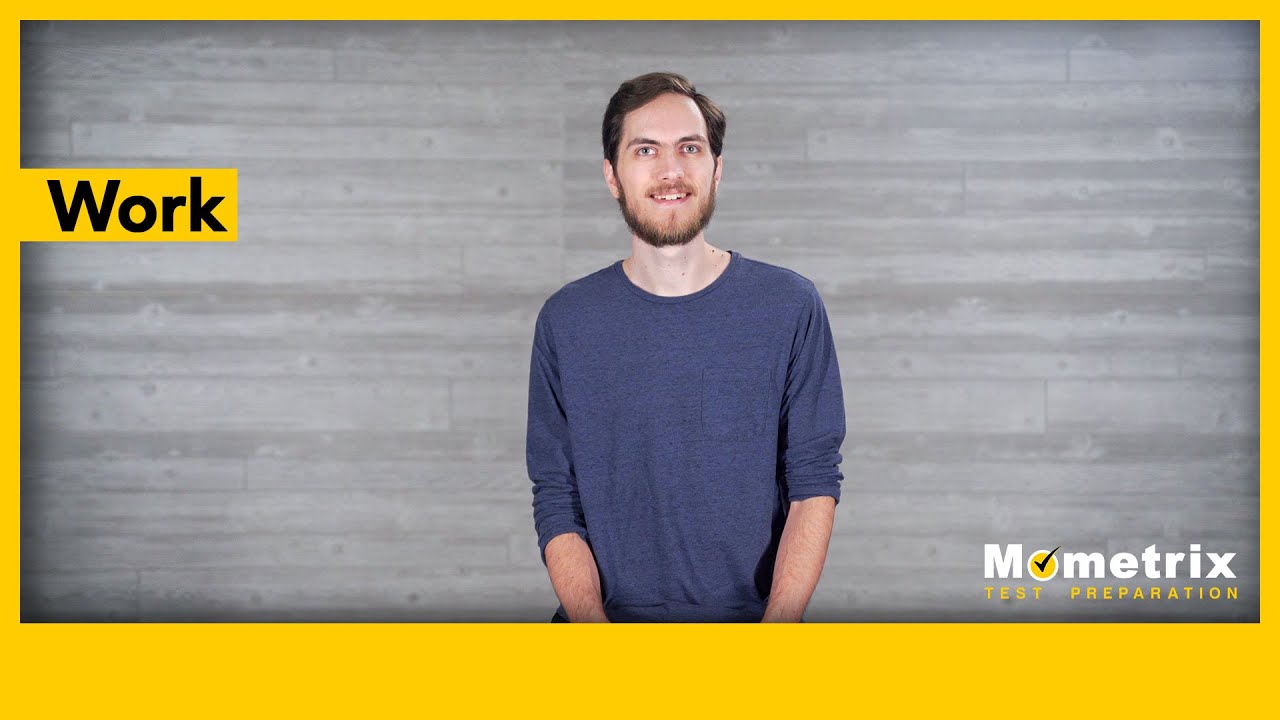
(1223, 188)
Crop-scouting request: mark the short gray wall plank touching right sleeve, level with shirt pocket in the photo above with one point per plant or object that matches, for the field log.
(944, 405)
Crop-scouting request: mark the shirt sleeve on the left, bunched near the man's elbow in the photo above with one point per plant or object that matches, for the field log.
(557, 509)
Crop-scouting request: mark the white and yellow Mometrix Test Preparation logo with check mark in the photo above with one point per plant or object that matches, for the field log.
(1045, 564)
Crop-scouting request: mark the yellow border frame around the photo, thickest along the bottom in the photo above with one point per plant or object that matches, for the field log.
(369, 671)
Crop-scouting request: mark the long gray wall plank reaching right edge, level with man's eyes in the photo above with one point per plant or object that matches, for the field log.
(930, 143)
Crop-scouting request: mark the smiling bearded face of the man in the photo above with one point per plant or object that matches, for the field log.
(666, 177)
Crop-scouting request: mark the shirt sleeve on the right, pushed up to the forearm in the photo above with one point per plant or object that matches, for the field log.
(813, 409)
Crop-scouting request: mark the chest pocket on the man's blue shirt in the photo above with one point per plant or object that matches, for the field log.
(735, 403)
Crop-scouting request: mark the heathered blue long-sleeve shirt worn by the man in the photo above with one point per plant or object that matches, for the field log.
(671, 434)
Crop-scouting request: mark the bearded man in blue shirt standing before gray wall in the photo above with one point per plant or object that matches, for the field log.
(685, 411)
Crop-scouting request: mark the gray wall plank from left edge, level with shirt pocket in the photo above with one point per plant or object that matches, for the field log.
(239, 404)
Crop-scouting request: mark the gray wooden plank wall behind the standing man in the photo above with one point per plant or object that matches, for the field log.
(1039, 245)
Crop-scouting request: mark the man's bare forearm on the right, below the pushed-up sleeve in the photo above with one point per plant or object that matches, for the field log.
(802, 553)
